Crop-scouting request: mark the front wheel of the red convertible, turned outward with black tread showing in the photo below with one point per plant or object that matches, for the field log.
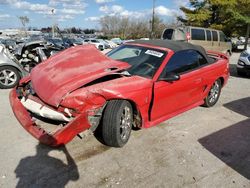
(117, 123)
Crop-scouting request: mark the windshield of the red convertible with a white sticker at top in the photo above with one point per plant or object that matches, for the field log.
(144, 61)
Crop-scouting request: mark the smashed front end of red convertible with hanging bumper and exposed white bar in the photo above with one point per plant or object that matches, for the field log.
(54, 125)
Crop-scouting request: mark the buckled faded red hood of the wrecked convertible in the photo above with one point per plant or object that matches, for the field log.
(69, 70)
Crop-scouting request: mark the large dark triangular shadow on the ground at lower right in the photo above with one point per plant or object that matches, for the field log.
(232, 146)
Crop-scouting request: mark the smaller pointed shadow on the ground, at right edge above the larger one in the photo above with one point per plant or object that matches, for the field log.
(240, 106)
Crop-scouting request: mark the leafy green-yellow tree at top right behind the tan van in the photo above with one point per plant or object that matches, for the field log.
(231, 16)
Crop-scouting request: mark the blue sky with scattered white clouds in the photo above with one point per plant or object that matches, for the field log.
(81, 13)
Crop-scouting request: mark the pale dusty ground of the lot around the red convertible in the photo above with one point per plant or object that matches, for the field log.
(200, 148)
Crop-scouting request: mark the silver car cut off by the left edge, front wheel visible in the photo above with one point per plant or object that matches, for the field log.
(10, 71)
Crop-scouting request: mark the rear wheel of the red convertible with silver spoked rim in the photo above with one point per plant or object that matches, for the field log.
(213, 95)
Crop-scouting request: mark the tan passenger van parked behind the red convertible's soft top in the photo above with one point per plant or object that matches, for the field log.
(210, 39)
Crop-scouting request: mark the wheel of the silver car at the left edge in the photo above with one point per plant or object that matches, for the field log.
(9, 77)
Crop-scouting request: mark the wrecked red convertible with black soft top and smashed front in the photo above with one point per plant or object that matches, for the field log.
(138, 84)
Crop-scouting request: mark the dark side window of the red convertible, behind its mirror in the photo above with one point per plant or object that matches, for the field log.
(184, 61)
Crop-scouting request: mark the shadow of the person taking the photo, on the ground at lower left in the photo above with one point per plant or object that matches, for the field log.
(43, 170)
